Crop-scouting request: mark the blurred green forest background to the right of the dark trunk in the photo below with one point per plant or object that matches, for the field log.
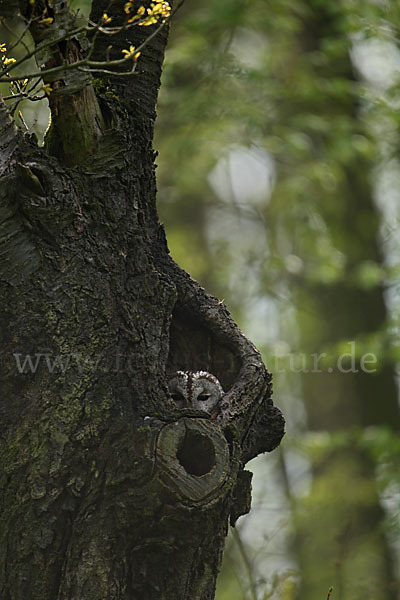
(279, 185)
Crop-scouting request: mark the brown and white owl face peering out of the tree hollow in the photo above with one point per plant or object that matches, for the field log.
(195, 389)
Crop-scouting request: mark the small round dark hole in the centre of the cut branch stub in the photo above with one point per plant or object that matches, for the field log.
(196, 454)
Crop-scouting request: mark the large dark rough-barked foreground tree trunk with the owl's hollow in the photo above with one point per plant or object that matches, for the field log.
(108, 491)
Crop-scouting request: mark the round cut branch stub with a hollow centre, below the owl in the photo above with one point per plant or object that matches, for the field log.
(193, 458)
